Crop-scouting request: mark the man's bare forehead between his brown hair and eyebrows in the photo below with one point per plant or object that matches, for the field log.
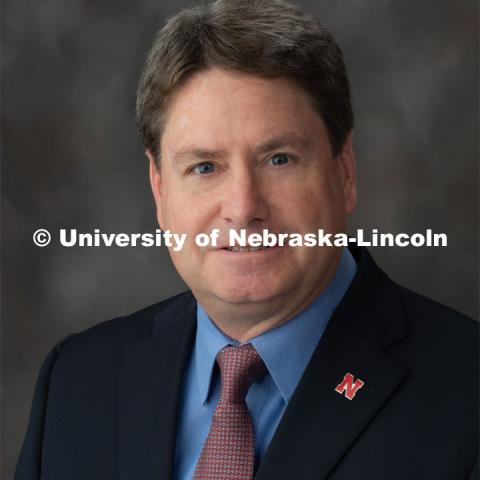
(217, 106)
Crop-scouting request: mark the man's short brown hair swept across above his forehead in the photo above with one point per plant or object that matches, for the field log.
(269, 38)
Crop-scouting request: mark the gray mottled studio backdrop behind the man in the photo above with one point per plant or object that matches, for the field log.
(71, 158)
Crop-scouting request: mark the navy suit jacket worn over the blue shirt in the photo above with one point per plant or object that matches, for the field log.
(106, 399)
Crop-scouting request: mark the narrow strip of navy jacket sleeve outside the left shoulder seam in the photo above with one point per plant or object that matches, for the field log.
(30, 460)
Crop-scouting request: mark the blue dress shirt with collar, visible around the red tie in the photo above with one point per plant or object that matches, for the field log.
(266, 399)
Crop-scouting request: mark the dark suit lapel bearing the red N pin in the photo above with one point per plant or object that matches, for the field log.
(319, 424)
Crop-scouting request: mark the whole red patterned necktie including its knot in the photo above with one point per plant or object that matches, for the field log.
(229, 451)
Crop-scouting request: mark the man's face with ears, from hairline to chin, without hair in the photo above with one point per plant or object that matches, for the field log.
(241, 151)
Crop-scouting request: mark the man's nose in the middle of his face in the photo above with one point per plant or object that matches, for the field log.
(244, 204)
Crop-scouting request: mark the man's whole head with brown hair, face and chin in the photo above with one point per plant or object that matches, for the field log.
(248, 146)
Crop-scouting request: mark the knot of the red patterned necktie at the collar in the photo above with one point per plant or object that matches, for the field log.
(239, 368)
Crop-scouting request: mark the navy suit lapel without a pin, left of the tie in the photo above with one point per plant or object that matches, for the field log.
(150, 384)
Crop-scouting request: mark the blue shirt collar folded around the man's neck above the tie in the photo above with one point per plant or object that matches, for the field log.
(299, 337)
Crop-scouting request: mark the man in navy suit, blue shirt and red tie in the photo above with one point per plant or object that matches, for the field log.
(282, 362)
